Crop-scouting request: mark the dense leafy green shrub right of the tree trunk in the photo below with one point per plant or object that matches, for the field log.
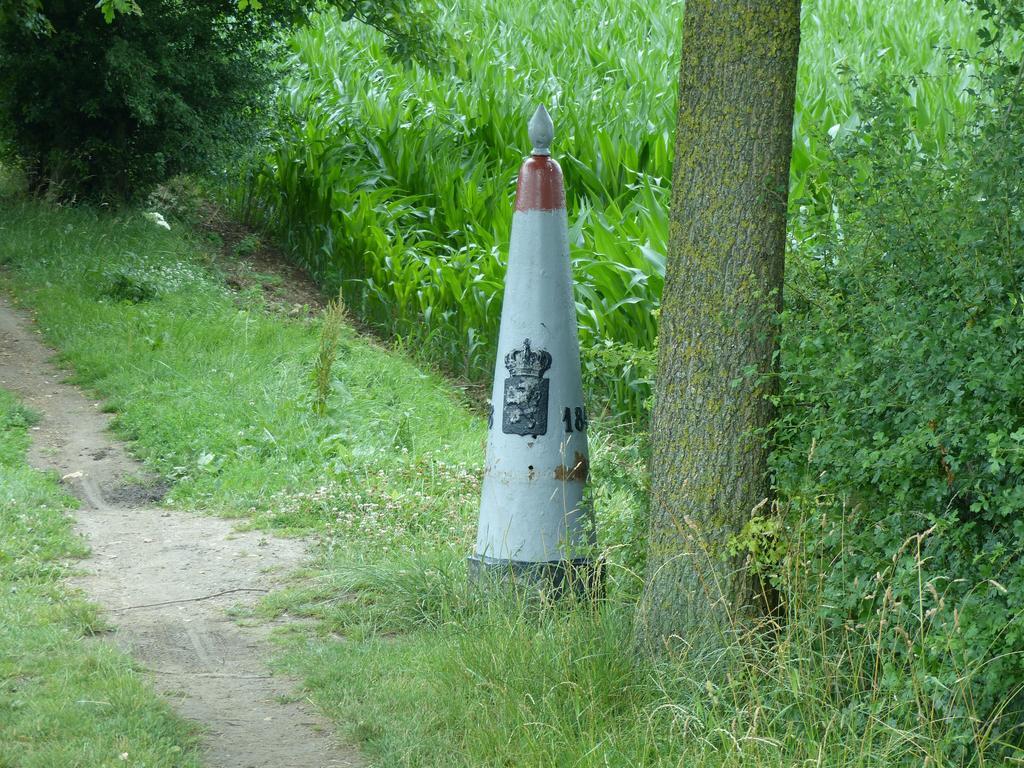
(904, 406)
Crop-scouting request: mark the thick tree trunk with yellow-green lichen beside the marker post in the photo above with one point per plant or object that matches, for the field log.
(722, 292)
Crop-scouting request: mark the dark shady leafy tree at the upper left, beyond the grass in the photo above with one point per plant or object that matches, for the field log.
(105, 104)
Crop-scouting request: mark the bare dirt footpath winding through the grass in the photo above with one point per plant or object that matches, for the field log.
(212, 670)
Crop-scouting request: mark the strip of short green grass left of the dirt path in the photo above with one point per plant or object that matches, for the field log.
(67, 699)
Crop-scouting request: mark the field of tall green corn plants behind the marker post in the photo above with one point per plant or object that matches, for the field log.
(398, 183)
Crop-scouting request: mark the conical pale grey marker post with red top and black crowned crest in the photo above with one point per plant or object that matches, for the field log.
(535, 525)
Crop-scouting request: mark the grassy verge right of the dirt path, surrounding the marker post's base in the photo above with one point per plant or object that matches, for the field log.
(219, 396)
